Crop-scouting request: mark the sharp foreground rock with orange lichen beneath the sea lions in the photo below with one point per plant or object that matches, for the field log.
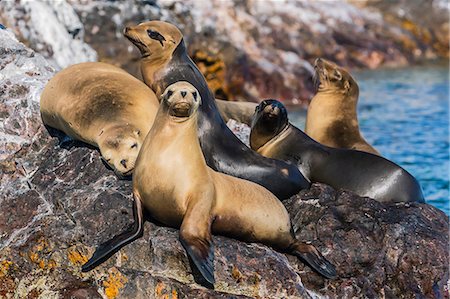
(58, 203)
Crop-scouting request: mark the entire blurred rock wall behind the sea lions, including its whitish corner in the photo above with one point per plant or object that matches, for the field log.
(247, 50)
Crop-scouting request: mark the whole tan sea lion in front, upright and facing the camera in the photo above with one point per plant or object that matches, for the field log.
(173, 182)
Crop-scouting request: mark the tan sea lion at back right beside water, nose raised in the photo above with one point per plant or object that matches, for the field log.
(331, 118)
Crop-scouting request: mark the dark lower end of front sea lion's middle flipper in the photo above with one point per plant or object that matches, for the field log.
(201, 252)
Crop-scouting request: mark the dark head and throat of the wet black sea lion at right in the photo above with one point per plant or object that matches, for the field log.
(269, 120)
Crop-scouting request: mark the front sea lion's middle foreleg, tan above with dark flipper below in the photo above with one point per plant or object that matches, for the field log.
(195, 236)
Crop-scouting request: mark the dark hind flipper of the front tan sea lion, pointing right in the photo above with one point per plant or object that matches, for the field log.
(314, 259)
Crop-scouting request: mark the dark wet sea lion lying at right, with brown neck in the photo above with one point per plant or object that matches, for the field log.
(363, 173)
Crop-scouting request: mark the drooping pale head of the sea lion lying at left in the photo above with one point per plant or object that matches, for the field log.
(119, 146)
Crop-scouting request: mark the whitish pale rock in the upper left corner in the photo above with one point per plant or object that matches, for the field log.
(50, 27)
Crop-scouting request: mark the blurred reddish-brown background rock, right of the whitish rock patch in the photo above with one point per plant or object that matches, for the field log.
(251, 50)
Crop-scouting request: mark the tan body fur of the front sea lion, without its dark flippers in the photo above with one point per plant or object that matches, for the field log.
(179, 189)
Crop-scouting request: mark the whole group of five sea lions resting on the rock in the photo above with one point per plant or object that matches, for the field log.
(191, 172)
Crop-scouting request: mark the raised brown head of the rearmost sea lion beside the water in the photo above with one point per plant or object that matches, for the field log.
(330, 77)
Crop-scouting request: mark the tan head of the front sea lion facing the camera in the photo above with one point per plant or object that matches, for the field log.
(181, 100)
